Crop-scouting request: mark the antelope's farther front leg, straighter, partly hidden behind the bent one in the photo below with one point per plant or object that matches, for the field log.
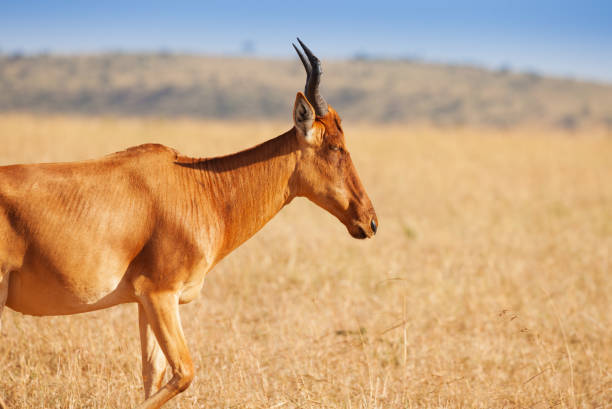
(153, 360)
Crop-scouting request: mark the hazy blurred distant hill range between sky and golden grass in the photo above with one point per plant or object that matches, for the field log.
(367, 90)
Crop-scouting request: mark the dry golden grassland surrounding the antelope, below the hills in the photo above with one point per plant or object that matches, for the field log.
(488, 284)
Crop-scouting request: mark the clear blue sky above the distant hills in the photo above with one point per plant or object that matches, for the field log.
(554, 37)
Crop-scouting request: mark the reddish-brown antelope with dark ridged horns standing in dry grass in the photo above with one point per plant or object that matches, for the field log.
(146, 224)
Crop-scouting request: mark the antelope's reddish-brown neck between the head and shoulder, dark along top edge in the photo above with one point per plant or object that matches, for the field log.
(248, 188)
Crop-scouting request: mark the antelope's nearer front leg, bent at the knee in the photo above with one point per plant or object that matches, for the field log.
(162, 314)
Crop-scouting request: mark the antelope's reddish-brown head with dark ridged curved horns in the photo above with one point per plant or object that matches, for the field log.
(325, 172)
